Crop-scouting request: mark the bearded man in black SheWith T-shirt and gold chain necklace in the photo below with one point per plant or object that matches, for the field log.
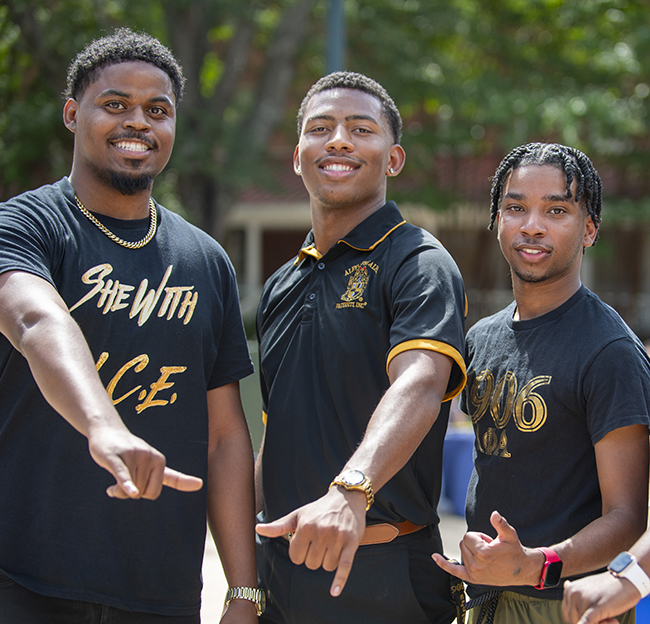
(125, 320)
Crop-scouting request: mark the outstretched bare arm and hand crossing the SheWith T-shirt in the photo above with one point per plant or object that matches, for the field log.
(36, 321)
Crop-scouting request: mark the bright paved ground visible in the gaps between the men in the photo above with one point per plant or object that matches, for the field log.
(452, 528)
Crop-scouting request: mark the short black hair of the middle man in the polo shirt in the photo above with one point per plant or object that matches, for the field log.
(352, 80)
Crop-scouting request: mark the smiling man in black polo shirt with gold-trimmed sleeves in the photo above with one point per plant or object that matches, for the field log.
(360, 343)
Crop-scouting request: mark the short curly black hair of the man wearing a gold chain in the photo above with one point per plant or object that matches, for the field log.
(122, 46)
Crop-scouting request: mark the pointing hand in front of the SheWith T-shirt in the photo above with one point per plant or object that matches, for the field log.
(138, 468)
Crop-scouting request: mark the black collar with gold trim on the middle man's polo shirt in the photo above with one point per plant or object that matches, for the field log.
(366, 236)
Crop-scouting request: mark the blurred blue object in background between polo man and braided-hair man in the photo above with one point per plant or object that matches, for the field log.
(457, 466)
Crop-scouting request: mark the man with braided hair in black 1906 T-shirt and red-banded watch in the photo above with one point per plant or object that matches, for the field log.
(558, 391)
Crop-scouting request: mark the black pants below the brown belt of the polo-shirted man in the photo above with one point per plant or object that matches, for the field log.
(390, 583)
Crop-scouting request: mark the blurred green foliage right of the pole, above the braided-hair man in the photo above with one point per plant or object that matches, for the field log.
(476, 77)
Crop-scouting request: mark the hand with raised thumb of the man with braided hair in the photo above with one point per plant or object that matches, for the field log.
(500, 561)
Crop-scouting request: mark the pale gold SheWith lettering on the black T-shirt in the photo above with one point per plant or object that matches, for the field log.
(113, 296)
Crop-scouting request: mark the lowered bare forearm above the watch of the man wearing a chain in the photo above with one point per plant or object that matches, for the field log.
(231, 514)
